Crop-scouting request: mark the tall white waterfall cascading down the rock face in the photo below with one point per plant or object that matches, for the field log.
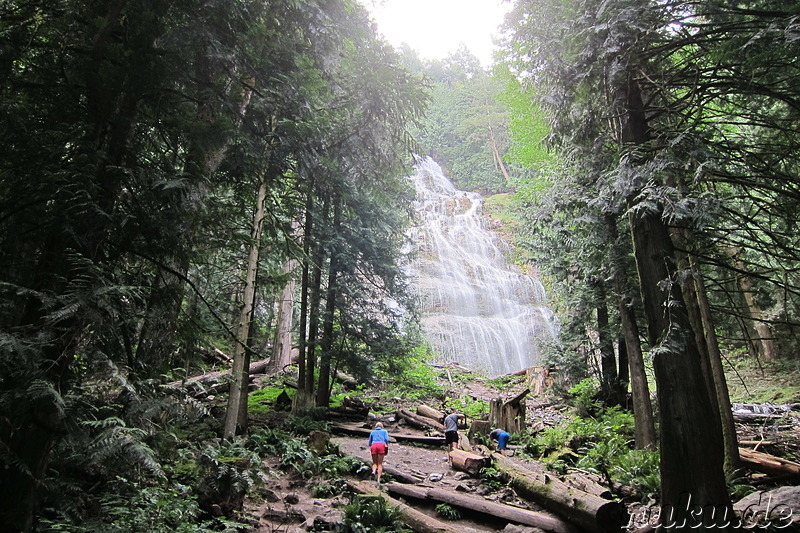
(477, 309)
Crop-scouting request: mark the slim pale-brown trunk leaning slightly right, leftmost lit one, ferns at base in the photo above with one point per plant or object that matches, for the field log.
(236, 414)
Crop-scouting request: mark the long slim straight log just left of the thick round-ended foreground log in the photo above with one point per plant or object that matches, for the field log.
(481, 505)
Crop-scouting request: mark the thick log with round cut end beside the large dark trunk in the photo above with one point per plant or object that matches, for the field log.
(588, 511)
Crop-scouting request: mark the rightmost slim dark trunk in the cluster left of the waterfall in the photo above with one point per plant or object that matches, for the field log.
(326, 342)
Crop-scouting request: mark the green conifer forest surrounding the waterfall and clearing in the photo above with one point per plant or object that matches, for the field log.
(198, 186)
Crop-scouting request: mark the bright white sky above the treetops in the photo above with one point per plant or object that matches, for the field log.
(435, 28)
